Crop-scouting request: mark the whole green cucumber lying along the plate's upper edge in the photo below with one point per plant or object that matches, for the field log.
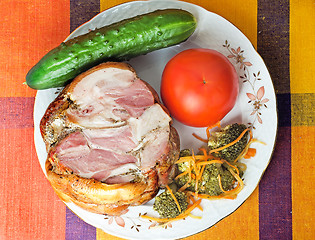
(116, 42)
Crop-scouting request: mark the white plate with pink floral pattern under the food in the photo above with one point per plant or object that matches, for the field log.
(256, 86)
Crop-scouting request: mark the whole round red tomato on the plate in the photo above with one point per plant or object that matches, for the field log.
(199, 87)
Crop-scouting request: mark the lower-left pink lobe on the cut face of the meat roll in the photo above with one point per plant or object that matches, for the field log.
(97, 153)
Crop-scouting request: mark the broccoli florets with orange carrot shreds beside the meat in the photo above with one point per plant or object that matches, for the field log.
(214, 173)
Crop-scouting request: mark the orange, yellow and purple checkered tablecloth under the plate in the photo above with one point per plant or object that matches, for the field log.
(282, 207)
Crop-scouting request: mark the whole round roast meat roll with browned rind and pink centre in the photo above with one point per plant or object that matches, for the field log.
(109, 140)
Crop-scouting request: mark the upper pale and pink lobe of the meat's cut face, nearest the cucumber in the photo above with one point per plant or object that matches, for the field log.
(108, 97)
